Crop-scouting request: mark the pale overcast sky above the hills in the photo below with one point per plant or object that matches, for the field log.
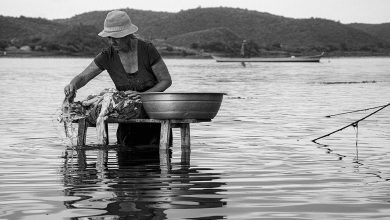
(345, 11)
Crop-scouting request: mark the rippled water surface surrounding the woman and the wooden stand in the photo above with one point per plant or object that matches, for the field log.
(254, 160)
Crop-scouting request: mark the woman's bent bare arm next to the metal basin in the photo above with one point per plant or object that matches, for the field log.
(164, 80)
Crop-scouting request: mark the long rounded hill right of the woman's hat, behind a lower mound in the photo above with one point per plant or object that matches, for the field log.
(263, 28)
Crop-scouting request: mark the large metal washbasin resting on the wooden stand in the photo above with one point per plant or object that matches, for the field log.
(181, 105)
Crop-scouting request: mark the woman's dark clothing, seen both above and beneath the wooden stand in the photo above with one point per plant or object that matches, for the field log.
(142, 80)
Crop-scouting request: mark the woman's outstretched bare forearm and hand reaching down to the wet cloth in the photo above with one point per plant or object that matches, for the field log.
(82, 79)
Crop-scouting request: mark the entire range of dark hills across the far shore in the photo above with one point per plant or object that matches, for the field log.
(215, 28)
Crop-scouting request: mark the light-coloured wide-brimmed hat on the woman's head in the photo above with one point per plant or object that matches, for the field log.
(117, 25)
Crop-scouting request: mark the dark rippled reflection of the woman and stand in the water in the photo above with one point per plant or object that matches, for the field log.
(136, 183)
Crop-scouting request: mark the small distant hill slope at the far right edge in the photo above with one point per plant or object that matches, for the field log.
(381, 31)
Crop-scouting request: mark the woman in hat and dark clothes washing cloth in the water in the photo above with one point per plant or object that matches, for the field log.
(135, 66)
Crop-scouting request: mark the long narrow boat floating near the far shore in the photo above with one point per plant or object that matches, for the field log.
(315, 58)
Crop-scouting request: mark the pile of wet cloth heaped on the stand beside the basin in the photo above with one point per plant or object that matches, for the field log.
(97, 108)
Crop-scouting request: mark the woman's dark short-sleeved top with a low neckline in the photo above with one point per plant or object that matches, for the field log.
(141, 80)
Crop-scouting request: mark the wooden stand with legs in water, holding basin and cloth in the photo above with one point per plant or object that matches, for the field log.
(166, 125)
